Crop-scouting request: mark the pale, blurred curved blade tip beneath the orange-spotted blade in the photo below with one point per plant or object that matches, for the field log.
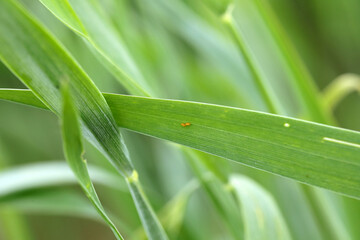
(262, 218)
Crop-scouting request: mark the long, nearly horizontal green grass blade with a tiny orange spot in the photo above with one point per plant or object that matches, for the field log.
(308, 152)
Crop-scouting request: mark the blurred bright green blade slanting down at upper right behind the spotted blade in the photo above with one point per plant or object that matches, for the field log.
(280, 50)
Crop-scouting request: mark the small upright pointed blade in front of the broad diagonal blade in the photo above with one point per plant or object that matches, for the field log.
(73, 148)
